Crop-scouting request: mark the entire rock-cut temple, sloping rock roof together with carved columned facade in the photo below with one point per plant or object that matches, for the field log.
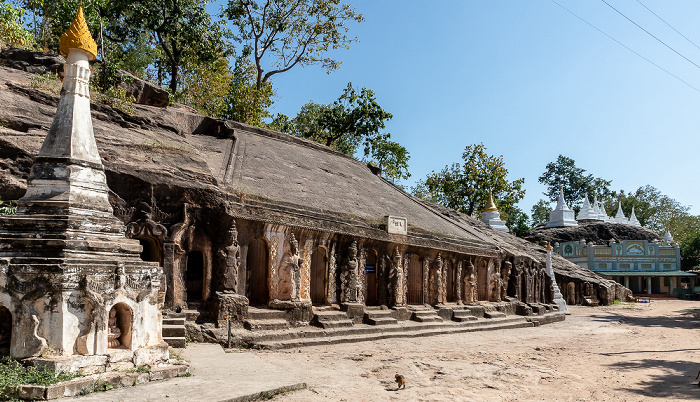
(310, 223)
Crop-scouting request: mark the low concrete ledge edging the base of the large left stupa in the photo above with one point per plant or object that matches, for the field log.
(96, 383)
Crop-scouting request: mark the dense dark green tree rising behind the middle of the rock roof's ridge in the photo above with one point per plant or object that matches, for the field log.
(354, 120)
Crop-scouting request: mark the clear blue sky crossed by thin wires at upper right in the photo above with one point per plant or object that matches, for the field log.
(530, 81)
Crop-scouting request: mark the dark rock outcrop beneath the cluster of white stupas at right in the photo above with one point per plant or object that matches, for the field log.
(592, 233)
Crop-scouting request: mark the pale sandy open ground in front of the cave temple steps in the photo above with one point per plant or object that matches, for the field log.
(618, 353)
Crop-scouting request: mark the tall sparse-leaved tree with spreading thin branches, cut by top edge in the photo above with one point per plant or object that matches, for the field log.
(287, 33)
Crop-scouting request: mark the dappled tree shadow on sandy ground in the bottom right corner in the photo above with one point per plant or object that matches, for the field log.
(676, 382)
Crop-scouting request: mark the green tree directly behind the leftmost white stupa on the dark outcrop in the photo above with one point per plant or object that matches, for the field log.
(563, 173)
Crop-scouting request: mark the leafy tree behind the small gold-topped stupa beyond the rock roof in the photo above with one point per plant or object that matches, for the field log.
(466, 187)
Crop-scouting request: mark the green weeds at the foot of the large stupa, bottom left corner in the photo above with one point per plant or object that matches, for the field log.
(13, 373)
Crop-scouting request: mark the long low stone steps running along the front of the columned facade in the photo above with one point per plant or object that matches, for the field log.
(313, 336)
